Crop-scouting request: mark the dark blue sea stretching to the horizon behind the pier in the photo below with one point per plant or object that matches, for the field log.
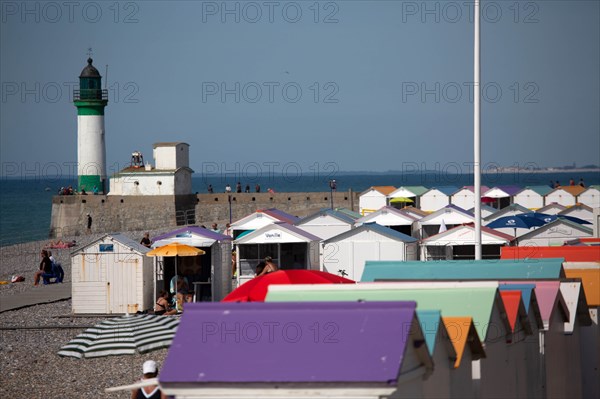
(25, 203)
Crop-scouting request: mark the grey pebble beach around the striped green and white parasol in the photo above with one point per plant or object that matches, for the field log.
(31, 337)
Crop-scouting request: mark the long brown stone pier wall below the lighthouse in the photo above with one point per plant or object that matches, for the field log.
(122, 213)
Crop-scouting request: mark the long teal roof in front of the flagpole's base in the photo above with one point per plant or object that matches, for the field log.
(463, 270)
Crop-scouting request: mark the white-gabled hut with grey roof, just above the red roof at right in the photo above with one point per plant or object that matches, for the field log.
(554, 233)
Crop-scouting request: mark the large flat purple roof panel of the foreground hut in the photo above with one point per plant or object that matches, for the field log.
(207, 350)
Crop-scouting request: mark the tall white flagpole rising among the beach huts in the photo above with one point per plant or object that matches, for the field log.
(477, 130)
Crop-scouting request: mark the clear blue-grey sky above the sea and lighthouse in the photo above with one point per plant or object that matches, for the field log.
(310, 85)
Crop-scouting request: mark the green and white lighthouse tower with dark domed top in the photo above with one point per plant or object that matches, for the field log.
(90, 101)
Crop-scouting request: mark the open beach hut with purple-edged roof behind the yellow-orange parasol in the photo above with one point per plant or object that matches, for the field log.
(209, 275)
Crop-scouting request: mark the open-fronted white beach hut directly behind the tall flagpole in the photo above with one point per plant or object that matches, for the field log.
(459, 243)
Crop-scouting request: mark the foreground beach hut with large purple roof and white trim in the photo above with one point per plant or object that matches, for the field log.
(297, 350)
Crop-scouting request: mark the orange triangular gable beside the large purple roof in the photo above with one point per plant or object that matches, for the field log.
(462, 331)
